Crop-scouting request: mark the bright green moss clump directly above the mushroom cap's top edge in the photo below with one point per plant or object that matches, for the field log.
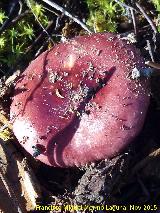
(103, 15)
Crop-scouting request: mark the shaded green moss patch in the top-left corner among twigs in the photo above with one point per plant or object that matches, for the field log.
(16, 39)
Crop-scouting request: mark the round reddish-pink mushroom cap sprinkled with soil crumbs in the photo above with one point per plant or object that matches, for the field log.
(81, 101)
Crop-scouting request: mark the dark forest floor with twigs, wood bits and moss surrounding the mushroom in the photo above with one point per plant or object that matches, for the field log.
(128, 180)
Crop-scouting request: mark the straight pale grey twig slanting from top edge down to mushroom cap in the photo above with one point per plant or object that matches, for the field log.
(62, 10)
